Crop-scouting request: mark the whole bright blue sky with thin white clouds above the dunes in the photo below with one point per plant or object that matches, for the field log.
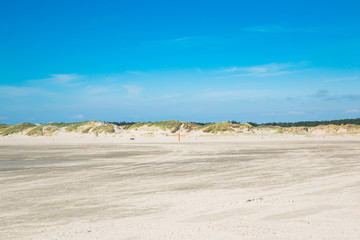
(258, 61)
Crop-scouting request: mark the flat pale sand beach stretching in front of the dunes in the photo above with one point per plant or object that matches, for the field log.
(219, 189)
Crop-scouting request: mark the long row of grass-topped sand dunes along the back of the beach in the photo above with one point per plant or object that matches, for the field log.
(170, 127)
